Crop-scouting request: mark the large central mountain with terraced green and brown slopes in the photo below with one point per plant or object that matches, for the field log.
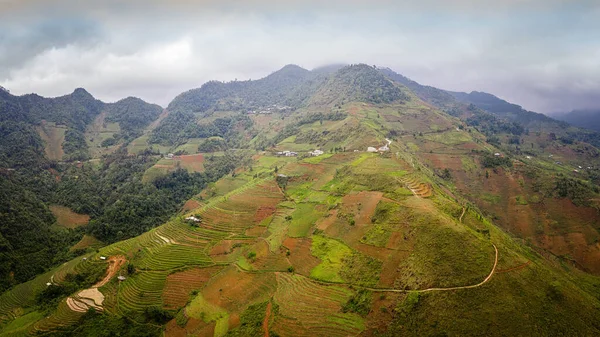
(420, 215)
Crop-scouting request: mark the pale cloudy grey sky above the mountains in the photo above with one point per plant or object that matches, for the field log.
(541, 54)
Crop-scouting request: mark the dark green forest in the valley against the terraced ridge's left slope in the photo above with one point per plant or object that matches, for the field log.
(120, 205)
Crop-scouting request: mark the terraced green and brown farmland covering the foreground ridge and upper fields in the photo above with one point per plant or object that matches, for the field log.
(348, 243)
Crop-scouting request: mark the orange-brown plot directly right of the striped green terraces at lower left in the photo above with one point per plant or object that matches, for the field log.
(179, 285)
